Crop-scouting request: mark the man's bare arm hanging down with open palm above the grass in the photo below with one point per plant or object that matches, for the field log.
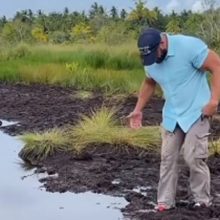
(146, 91)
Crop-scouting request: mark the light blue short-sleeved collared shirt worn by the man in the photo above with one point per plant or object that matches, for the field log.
(184, 84)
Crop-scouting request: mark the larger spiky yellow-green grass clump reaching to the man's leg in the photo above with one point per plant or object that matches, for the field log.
(102, 127)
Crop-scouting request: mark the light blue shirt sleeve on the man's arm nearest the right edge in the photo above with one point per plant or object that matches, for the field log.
(199, 53)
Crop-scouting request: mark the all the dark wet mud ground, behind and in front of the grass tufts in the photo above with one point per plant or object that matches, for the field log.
(130, 173)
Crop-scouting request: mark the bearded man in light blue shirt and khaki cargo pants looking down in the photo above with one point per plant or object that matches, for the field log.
(178, 64)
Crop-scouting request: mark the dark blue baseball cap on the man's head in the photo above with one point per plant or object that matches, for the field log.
(148, 43)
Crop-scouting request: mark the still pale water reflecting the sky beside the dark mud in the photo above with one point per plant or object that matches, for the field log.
(22, 197)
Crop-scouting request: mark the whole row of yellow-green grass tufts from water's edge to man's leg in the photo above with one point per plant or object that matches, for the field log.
(101, 127)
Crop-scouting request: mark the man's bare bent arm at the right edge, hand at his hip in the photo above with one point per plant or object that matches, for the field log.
(212, 64)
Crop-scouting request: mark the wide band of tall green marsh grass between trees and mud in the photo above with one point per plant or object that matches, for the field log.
(89, 67)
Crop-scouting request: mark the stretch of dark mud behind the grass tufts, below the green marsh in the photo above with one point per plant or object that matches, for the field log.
(39, 107)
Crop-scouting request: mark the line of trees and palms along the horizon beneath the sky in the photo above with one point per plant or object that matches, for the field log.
(111, 27)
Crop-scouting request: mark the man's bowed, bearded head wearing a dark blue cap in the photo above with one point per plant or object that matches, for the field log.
(152, 45)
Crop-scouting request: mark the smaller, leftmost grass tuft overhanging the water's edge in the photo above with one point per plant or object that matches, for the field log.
(40, 145)
